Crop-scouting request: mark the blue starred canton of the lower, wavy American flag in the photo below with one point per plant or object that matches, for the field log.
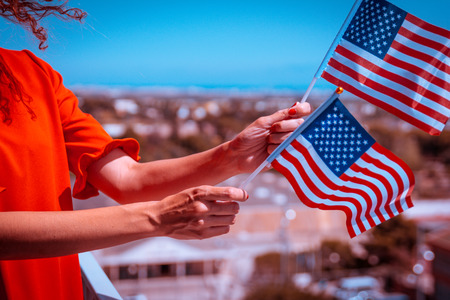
(338, 138)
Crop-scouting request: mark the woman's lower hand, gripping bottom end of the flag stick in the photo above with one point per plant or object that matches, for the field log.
(199, 212)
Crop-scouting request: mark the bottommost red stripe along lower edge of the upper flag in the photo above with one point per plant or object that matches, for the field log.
(389, 108)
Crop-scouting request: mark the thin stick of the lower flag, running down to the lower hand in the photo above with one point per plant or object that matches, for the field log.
(291, 137)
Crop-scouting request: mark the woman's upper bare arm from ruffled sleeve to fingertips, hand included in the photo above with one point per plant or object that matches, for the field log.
(127, 181)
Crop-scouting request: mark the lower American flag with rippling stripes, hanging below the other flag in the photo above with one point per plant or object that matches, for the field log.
(334, 164)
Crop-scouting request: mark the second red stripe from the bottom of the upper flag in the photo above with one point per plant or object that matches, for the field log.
(387, 91)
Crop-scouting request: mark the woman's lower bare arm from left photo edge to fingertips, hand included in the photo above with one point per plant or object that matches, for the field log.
(191, 214)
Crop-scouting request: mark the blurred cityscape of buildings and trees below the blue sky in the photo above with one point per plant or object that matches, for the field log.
(278, 248)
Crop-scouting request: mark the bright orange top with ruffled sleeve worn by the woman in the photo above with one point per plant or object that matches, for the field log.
(35, 159)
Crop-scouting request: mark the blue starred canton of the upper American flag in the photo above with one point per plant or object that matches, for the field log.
(374, 26)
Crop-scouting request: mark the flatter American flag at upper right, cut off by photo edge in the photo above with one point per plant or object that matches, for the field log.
(396, 61)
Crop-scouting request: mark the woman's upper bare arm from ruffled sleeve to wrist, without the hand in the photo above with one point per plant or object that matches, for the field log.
(126, 181)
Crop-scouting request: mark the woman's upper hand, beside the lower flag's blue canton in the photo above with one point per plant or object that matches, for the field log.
(259, 139)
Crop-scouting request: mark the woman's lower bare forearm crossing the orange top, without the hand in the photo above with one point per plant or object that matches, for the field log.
(25, 235)
